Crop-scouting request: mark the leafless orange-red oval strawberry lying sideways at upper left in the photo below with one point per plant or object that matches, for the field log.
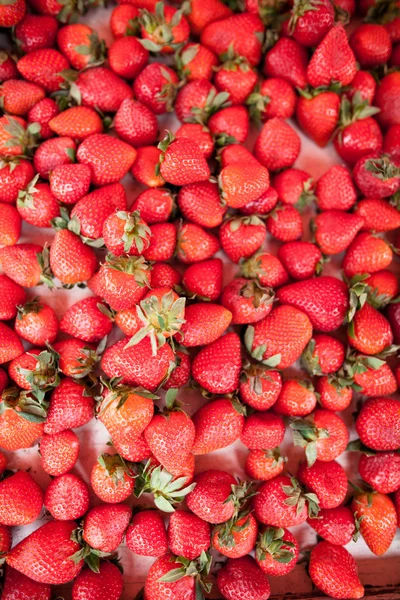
(77, 122)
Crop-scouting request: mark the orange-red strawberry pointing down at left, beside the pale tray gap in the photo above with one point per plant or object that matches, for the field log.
(71, 260)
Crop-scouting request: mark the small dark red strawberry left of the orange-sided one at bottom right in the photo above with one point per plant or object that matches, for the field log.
(335, 525)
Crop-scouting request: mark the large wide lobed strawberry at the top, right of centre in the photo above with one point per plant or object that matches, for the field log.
(238, 31)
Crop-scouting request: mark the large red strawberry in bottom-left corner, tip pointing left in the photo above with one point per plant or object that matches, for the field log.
(44, 554)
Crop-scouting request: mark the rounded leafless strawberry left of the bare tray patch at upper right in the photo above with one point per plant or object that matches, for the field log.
(277, 145)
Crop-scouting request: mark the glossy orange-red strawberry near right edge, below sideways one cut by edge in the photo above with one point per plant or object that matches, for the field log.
(366, 254)
